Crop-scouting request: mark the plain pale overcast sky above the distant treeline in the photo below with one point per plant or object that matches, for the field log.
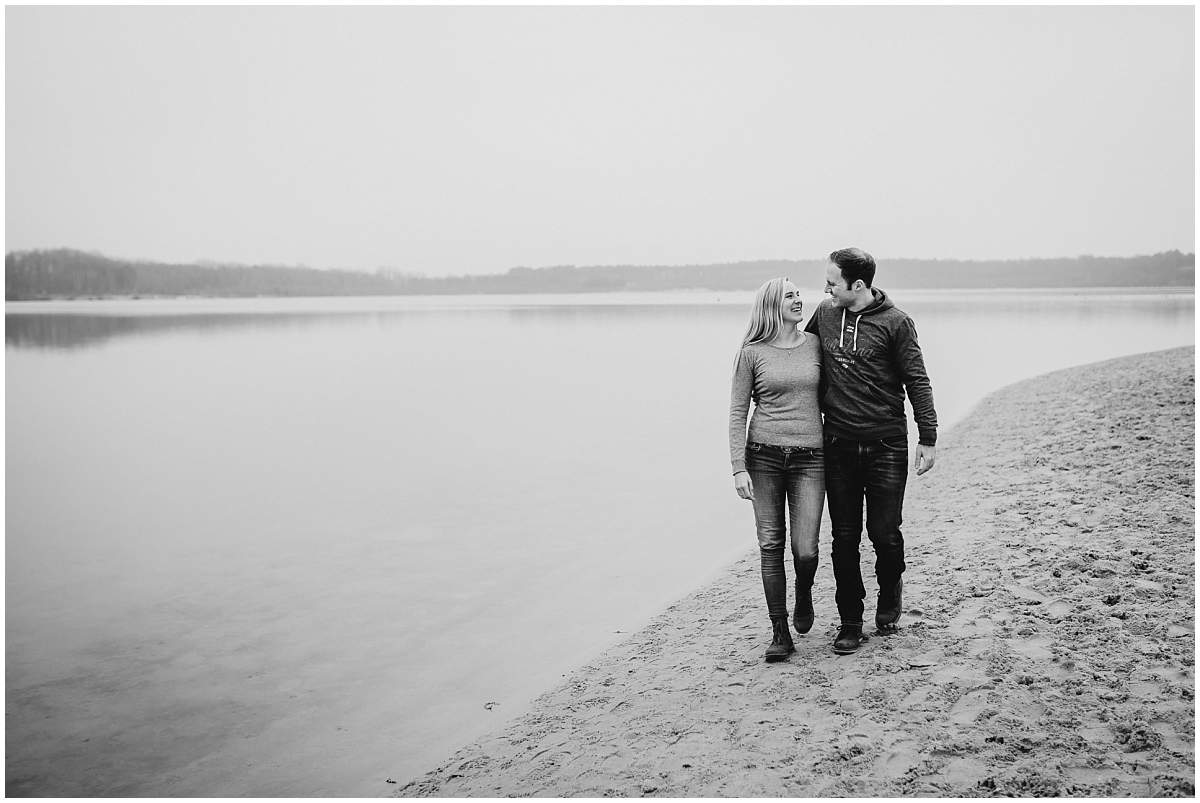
(473, 140)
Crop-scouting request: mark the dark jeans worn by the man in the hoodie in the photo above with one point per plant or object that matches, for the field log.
(878, 471)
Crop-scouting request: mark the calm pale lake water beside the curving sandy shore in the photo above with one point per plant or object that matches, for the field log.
(296, 548)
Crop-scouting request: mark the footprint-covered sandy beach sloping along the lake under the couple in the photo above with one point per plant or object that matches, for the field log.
(1047, 648)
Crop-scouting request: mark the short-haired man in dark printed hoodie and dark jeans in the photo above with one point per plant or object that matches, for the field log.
(871, 358)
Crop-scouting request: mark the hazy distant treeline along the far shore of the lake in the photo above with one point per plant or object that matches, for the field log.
(64, 274)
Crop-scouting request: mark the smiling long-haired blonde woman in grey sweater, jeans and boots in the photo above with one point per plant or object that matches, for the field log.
(779, 368)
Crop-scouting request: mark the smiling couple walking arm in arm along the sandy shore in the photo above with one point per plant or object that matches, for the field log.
(851, 364)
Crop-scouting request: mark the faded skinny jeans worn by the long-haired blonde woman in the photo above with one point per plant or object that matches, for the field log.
(796, 475)
